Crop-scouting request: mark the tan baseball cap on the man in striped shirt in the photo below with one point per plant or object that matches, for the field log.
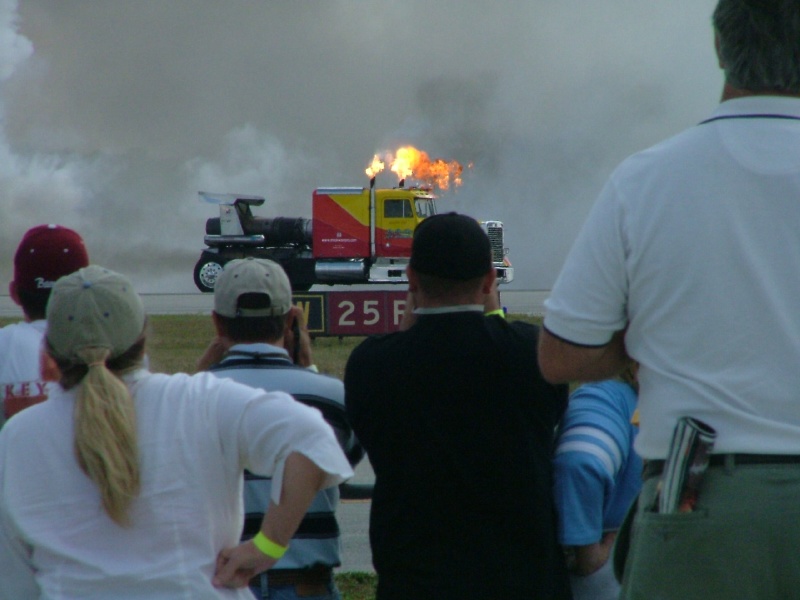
(252, 276)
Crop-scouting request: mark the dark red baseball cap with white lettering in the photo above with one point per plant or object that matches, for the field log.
(45, 254)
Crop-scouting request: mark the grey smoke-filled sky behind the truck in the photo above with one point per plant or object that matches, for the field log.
(114, 114)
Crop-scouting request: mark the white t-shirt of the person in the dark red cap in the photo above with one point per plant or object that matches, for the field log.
(20, 382)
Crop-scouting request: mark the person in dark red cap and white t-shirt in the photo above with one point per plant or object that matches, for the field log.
(46, 253)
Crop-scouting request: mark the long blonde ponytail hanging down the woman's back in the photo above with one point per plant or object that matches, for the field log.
(105, 435)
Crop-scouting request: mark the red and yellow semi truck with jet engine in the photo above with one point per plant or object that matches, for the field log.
(355, 235)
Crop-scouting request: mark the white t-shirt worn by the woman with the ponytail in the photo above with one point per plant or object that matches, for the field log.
(196, 434)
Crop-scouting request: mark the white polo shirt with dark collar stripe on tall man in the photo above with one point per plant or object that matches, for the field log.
(694, 244)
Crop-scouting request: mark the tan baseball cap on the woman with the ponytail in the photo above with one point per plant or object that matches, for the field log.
(93, 308)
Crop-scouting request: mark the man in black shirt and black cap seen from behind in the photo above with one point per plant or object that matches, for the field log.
(458, 424)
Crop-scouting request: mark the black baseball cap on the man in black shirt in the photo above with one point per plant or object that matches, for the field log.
(451, 246)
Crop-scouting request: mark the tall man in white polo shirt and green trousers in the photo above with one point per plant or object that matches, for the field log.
(689, 263)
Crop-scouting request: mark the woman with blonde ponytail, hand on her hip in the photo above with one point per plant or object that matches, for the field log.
(127, 484)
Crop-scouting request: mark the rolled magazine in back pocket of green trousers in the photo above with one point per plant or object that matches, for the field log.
(687, 461)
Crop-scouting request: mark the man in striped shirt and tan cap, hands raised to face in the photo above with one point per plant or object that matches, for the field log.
(257, 326)
